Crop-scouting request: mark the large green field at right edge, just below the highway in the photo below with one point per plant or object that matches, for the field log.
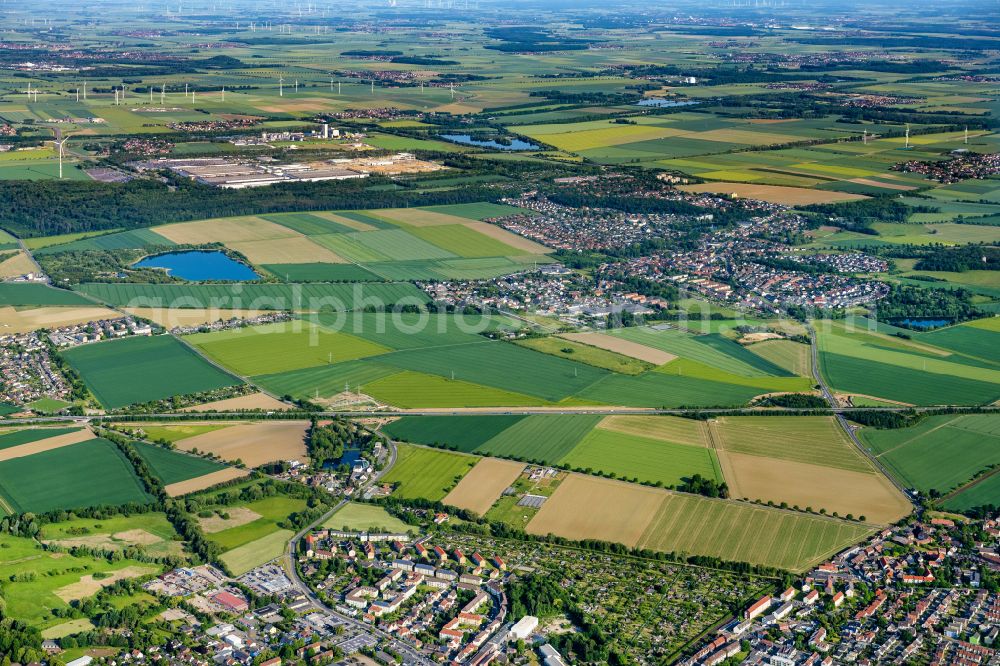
(940, 453)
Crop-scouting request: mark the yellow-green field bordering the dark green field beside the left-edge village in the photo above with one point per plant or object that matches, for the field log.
(281, 347)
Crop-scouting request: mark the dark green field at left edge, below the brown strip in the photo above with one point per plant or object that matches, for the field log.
(90, 473)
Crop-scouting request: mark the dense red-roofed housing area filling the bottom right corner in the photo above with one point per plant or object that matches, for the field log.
(881, 602)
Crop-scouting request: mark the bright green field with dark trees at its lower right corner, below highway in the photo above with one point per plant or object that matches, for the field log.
(642, 459)
